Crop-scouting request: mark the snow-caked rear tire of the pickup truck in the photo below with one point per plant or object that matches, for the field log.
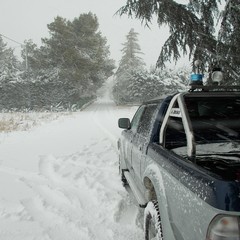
(152, 222)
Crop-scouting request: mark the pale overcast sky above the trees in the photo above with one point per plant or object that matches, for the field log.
(27, 19)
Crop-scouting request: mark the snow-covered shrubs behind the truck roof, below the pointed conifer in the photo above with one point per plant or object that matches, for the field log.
(141, 86)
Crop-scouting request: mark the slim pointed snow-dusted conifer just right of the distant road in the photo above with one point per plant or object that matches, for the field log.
(130, 63)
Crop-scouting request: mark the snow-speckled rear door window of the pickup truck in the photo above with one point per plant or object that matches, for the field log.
(145, 122)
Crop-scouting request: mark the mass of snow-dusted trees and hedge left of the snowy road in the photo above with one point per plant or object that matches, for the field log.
(64, 73)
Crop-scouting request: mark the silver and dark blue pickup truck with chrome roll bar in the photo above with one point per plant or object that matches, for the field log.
(180, 156)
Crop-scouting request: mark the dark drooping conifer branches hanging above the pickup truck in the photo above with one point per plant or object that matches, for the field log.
(193, 31)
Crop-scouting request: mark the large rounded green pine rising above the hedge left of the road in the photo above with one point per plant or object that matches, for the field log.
(80, 52)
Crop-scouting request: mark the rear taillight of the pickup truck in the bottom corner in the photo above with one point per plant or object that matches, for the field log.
(224, 227)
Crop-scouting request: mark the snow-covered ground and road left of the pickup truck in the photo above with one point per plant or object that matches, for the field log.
(59, 180)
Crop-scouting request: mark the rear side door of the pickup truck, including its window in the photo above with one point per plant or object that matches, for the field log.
(141, 140)
